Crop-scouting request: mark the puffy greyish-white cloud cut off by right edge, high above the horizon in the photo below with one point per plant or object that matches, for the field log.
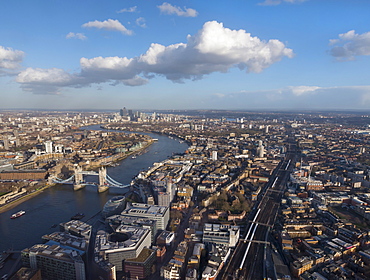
(350, 44)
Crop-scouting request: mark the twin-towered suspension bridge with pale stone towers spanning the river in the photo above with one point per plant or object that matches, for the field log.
(78, 182)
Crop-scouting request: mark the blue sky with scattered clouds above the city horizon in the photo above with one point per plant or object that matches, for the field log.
(201, 54)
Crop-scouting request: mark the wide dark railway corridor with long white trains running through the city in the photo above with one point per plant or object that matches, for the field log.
(248, 261)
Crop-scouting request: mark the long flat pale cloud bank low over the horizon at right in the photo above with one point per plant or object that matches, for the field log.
(298, 97)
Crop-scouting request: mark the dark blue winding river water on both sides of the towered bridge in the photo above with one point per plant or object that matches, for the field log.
(59, 203)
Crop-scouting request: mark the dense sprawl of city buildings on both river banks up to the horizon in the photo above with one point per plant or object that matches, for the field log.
(212, 186)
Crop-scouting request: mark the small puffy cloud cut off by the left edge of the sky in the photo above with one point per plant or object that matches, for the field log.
(10, 60)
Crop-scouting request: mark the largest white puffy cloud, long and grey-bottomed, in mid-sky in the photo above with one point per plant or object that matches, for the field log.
(213, 49)
